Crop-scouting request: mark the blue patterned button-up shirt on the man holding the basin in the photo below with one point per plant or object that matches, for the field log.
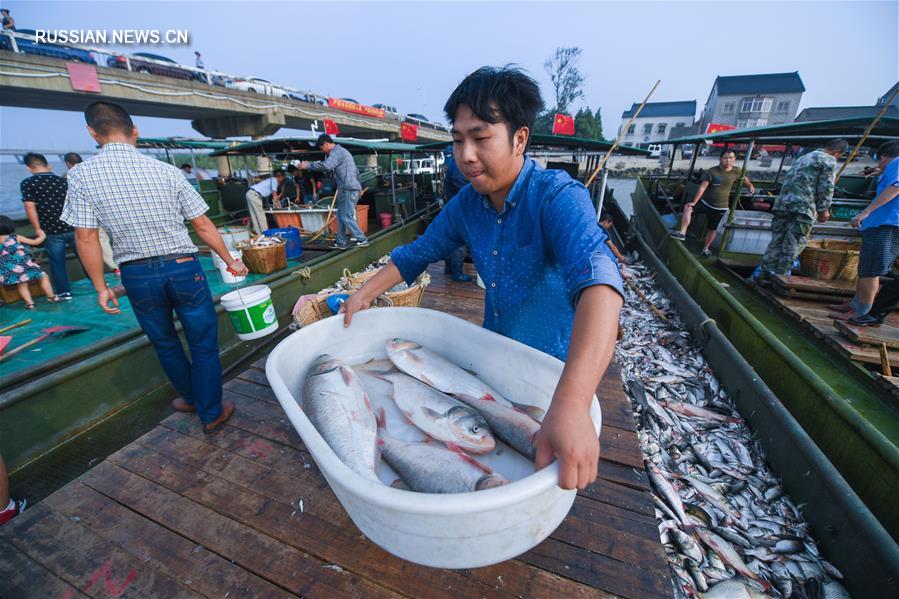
(535, 257)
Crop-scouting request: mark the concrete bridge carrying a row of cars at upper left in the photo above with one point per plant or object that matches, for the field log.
(33, 81)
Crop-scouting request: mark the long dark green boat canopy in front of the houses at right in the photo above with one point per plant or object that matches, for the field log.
(803, 133)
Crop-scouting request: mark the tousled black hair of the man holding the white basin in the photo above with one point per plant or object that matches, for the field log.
(498, 95)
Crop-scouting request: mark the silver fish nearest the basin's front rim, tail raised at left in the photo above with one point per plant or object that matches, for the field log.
(434, 468)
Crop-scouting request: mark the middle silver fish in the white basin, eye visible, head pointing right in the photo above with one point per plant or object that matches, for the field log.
(440, 416)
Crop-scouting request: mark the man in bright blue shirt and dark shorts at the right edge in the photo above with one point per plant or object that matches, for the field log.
(879, 226)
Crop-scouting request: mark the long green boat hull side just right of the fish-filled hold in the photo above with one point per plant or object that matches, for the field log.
(845, 412)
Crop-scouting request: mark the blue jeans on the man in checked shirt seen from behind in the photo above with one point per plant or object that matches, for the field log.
(155, 289)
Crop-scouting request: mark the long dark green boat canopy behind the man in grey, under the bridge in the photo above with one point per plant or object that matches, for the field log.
(304, 147)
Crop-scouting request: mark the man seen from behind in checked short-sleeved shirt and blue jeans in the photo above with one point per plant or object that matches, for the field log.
(143, 203)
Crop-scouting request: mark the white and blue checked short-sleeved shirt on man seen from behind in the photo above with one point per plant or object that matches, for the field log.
(140, 201)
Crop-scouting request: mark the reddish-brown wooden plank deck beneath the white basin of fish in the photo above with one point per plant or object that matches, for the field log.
(245, 513)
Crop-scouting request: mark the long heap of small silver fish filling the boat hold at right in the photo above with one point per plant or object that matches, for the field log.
(728, 527)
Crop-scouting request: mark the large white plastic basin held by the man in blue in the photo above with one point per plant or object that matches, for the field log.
(464, 530)
